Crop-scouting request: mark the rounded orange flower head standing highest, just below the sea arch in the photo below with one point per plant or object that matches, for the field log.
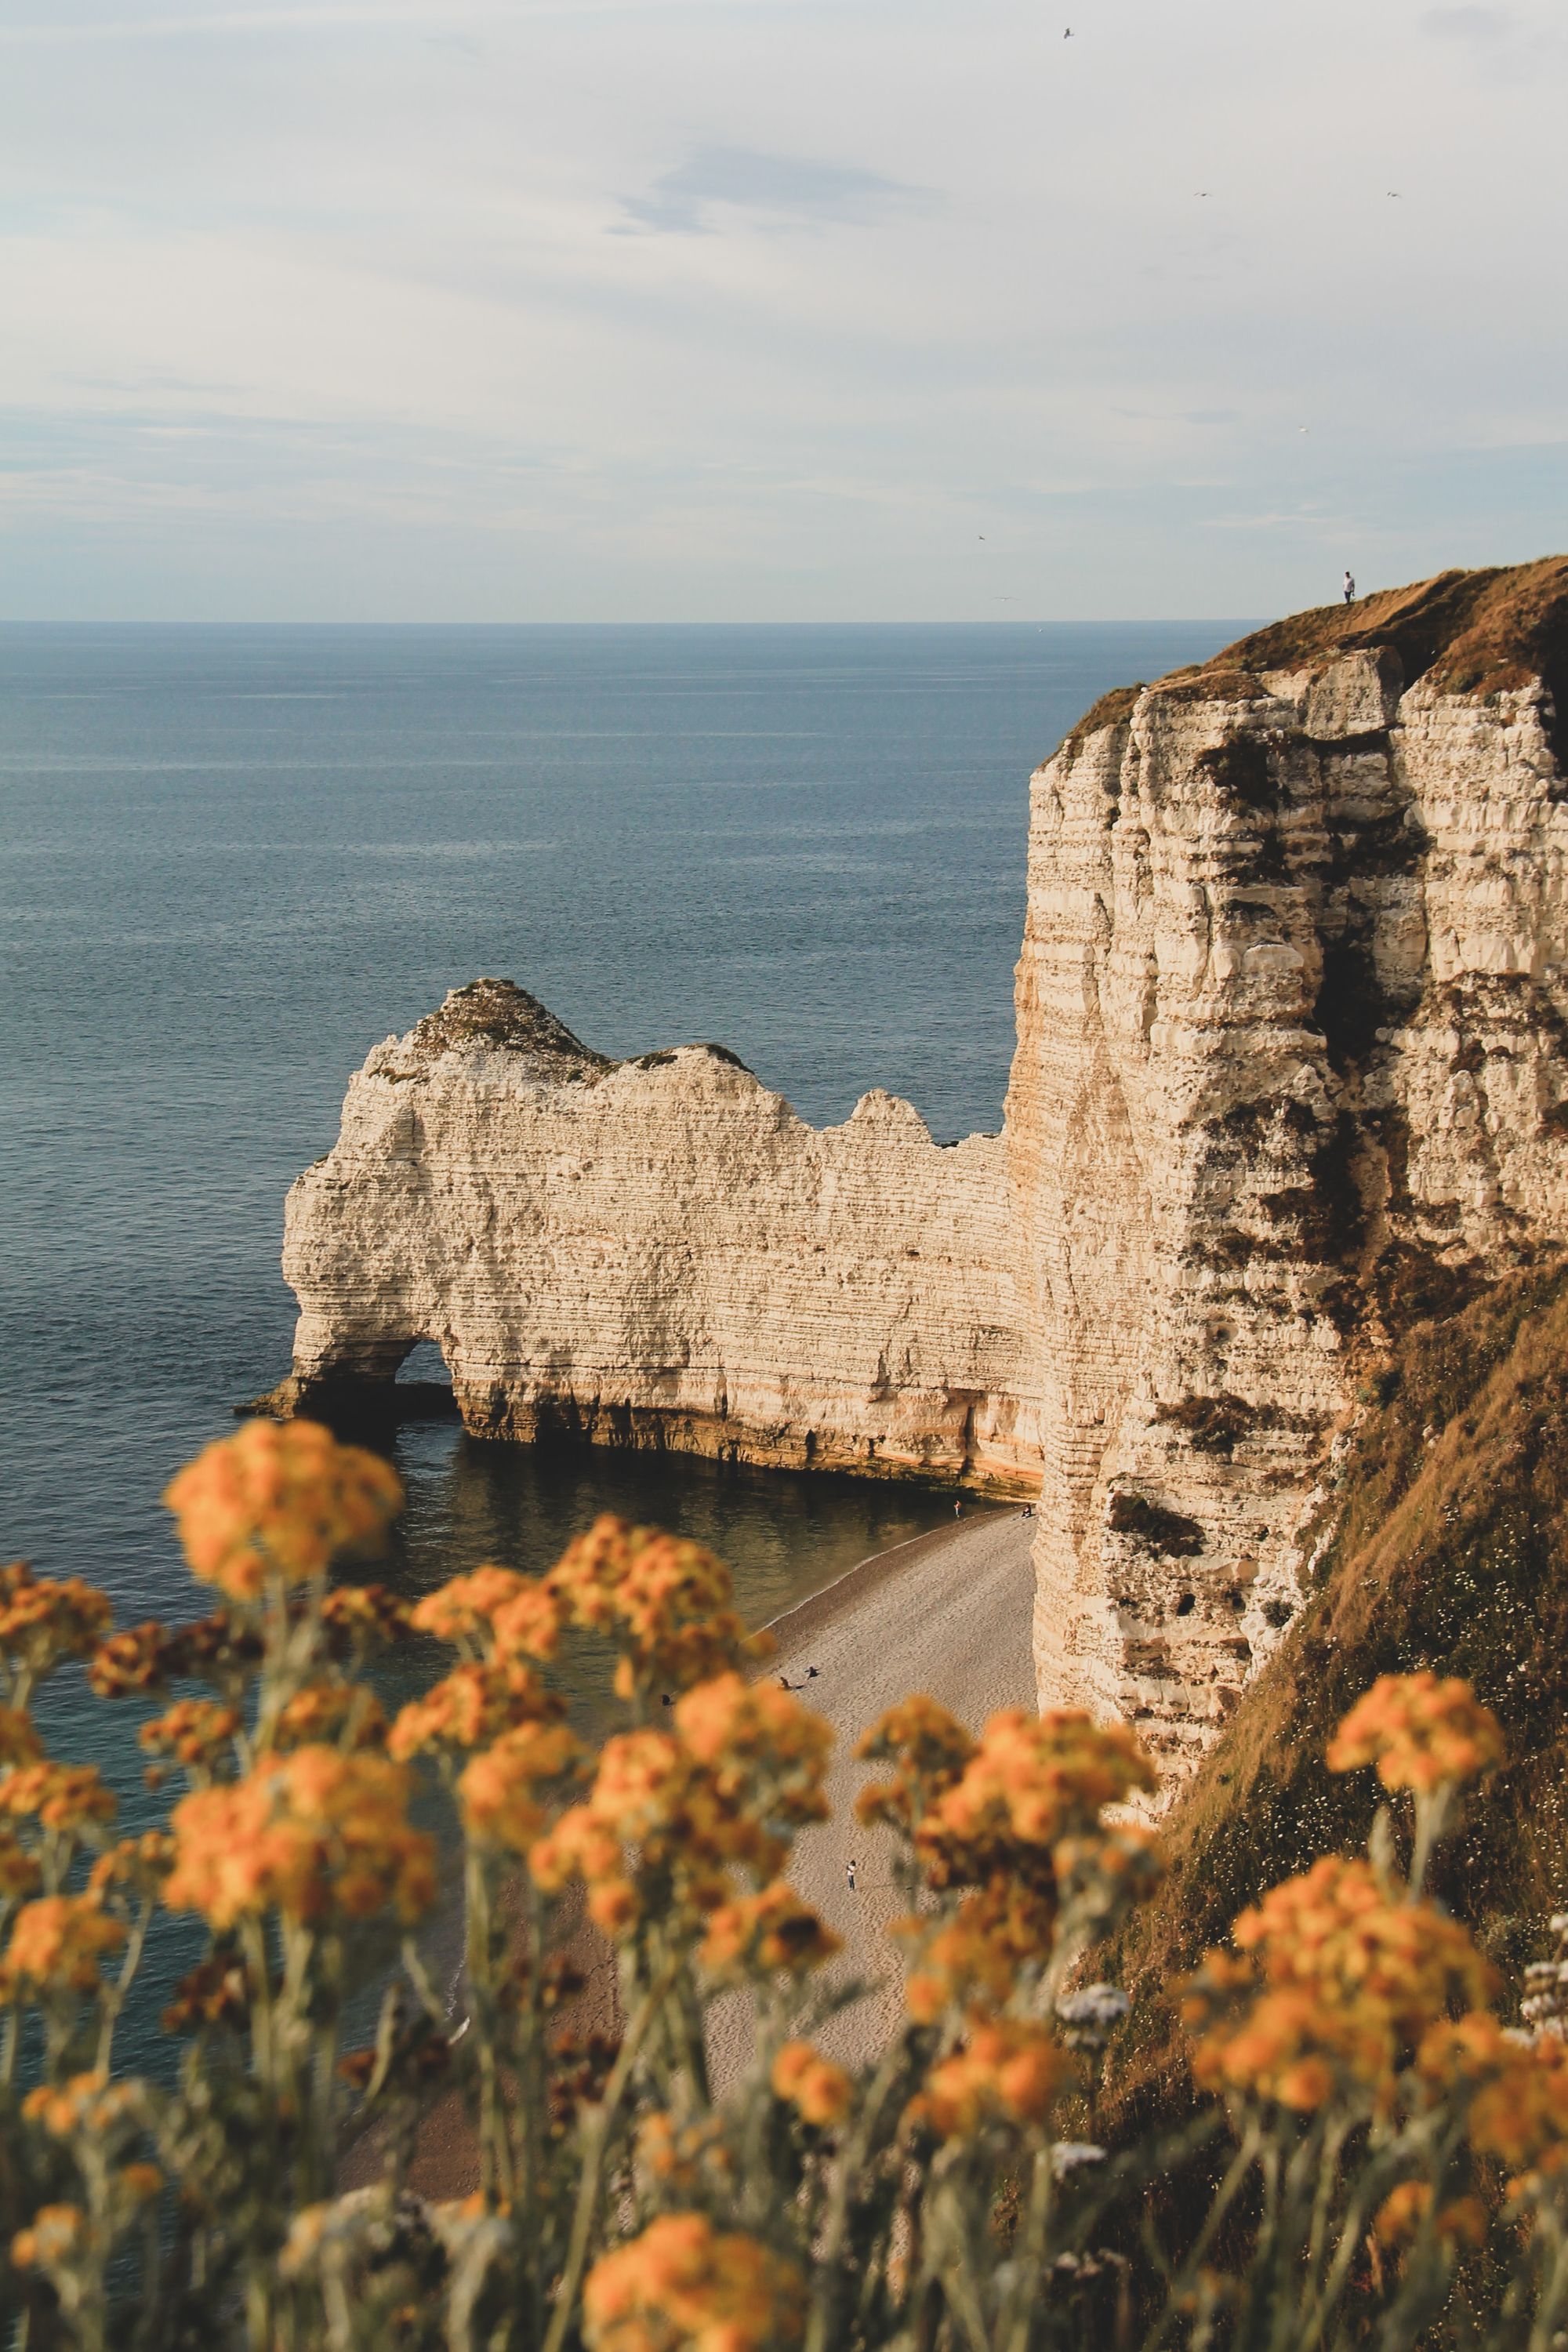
(279, 1499)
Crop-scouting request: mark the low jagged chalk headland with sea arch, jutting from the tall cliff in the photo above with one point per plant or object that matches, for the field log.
(659, 1252)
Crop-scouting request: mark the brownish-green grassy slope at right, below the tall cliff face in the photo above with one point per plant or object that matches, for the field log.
(1449, 1549)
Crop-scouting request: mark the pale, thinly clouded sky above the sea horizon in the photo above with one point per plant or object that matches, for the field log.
(772, 309)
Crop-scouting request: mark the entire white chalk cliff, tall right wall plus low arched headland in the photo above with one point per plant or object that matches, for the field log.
(1292, 1069)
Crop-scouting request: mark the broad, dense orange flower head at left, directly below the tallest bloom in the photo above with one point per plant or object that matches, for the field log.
(316, 1836)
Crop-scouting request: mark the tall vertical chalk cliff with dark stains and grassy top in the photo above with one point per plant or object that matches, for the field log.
(1292, 1064)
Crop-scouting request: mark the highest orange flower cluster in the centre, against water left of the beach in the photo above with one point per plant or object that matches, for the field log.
(664, 1598)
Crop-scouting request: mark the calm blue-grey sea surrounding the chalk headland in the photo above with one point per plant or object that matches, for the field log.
(232, 860)
